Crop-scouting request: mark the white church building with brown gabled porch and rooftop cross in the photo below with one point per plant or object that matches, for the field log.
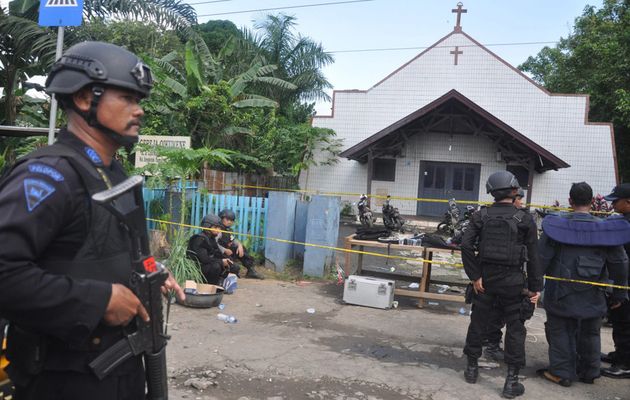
(439, 125)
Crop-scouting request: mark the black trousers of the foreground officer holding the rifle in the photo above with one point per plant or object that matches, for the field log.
(68, 385)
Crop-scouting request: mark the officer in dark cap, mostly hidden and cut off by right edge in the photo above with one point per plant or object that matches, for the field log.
(620, 311)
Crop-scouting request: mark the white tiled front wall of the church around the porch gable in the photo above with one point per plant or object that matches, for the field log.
(555, 122)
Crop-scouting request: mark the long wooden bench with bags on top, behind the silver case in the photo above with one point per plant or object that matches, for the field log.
(423, 294)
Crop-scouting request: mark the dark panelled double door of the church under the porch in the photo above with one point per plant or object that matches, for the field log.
(441, 180)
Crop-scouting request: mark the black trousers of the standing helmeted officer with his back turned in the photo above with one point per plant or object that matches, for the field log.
(488, 309)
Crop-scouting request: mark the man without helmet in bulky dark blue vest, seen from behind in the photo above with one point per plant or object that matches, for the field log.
(583, 248)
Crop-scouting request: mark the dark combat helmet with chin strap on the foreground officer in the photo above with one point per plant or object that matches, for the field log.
(100, 65)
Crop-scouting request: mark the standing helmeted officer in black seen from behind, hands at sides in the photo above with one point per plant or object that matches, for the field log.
(497, 243)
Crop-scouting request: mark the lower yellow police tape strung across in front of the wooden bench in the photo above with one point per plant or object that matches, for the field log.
(370, 253)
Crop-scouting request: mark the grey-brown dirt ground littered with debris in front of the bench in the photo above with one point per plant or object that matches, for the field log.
(277, 350)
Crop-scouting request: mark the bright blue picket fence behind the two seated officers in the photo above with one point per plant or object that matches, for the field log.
(251, 212)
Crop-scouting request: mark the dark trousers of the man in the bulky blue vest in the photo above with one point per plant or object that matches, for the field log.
(574, 346)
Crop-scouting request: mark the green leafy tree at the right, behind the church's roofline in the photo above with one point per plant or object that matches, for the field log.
(594, 59)
